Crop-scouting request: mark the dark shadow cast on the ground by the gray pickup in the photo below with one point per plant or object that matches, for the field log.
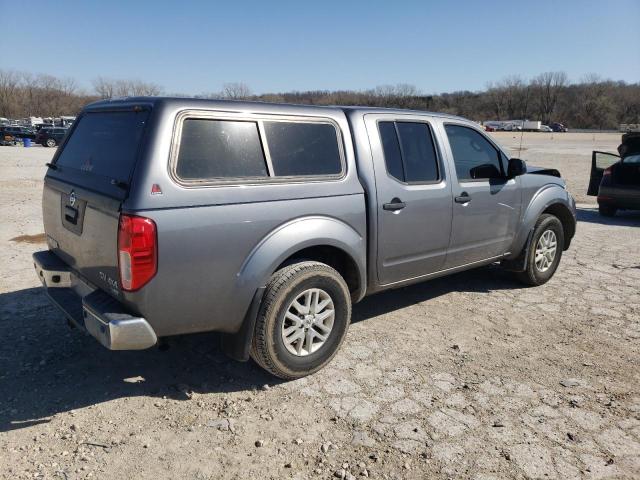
(47, 368)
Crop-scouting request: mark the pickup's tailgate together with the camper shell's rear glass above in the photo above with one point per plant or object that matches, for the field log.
(85, 188)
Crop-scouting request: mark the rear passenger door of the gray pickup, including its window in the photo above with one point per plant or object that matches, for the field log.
(413, 197)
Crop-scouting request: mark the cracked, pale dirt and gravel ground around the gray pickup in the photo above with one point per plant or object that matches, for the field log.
(469, 376)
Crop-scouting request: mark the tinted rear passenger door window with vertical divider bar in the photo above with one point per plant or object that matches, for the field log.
(409, 152)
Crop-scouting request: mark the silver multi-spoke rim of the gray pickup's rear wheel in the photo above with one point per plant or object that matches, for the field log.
(308, 322)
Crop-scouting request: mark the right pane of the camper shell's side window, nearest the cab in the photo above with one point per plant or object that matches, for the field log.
(304, 149)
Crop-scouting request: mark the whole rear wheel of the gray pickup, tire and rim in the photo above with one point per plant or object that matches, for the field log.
(279, 315)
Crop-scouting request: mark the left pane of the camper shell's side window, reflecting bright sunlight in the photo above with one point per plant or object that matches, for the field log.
(220, 149)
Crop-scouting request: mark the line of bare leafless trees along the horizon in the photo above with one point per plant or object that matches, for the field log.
(591, 102)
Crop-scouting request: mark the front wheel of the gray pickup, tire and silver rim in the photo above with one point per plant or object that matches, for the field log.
(538, 273)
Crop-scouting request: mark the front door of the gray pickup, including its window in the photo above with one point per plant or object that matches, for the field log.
(486, 205)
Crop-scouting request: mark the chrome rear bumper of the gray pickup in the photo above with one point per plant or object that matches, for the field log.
(91, 309)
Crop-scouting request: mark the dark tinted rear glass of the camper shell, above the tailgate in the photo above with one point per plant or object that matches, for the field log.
(105, 143)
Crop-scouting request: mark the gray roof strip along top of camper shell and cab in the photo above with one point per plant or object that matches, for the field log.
(245, 104)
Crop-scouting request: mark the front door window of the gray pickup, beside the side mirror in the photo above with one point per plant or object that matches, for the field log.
(474, 156)
